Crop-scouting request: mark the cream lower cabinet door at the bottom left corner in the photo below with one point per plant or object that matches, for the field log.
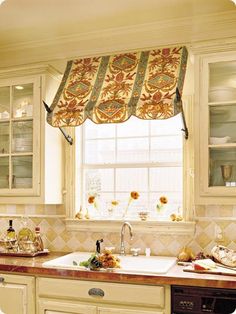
(17, 294)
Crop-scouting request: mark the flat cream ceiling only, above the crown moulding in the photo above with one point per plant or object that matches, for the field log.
(24, 21)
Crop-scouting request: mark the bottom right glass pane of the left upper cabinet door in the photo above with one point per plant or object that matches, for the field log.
(22, 172)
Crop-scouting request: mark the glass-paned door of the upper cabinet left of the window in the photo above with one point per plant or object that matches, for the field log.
(18, 125)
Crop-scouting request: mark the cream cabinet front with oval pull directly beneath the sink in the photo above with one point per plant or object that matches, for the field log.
(79, 297)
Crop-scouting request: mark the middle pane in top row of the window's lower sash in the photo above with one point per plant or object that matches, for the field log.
(132, 179)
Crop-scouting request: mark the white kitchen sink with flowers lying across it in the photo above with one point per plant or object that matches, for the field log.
(130, 264)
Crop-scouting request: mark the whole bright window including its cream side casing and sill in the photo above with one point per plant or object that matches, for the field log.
(112, 160)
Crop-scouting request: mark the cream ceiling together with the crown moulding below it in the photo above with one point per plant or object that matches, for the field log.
(34, 31)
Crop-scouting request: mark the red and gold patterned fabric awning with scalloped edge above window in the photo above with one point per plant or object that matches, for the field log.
(110, 89)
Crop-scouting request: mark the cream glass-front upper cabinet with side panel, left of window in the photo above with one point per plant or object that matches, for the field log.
(30, 149)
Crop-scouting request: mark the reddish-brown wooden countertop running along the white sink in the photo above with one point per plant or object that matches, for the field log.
(175, 276)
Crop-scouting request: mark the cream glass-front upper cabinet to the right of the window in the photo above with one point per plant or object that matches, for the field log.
(215, 145)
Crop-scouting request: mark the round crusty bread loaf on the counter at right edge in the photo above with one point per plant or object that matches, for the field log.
(224, 255)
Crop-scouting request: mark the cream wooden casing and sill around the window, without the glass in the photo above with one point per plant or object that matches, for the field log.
(184, 227)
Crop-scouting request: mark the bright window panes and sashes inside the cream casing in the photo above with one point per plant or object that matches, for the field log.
(137, 155)
